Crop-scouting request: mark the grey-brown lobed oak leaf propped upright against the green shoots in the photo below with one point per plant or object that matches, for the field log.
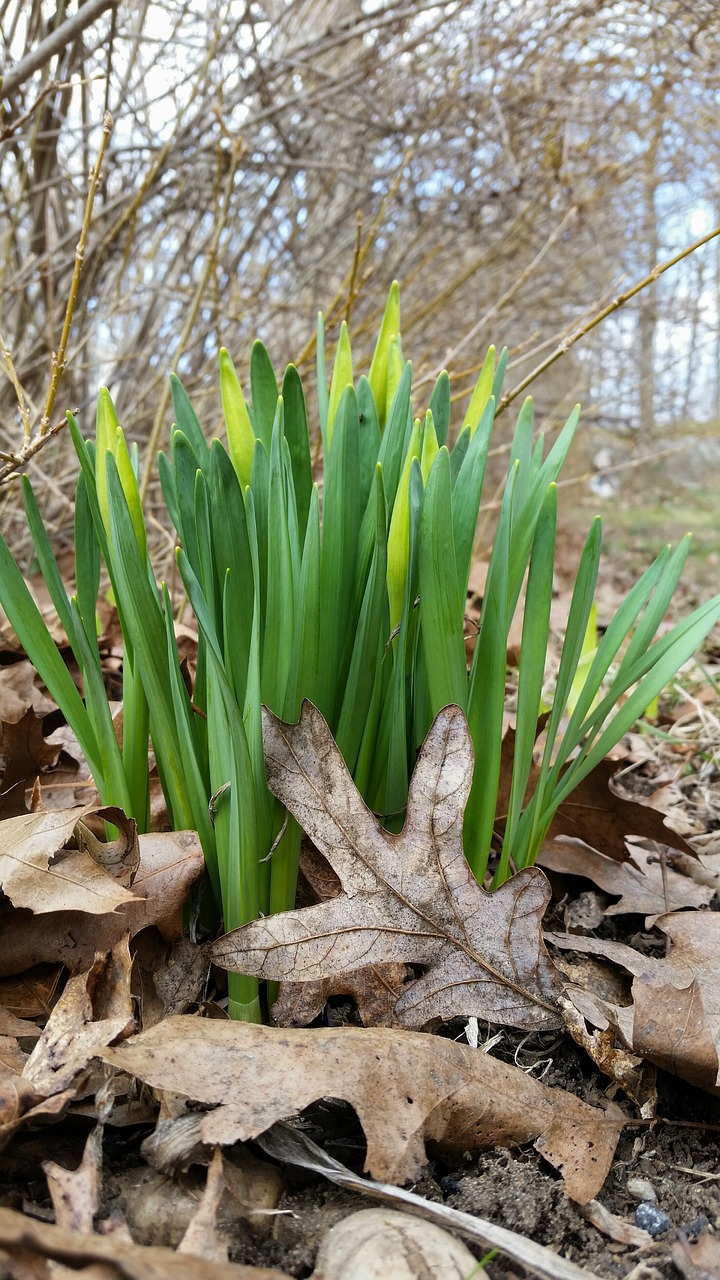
(405, 898)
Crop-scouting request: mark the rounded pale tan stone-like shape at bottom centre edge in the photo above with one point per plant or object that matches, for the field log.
(377, 1244)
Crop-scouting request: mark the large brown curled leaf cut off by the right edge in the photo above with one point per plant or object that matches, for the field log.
(675, 1020)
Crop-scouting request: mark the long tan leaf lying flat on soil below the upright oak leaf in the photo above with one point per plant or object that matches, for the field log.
(405, 1087)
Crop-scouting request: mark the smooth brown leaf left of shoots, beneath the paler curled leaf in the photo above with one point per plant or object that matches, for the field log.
(170, 865)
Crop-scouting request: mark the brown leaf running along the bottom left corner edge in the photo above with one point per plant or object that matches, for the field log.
(131, 1261)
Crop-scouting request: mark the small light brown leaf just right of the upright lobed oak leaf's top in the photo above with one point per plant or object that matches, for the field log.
(641, 889)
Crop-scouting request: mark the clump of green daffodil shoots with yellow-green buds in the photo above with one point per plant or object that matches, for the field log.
(349, 593)
